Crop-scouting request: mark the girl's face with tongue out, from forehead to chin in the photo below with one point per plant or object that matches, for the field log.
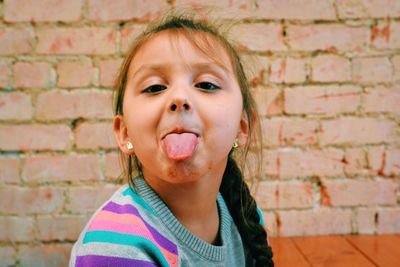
(181, 110)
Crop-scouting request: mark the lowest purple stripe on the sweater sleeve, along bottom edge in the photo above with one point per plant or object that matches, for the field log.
(106, 261)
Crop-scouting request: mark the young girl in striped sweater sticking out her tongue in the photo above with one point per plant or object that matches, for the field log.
(183, 109)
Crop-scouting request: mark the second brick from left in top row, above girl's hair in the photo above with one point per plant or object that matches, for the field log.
(136, 10)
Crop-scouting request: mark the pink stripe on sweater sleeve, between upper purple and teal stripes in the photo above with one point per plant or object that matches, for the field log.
(133, 229)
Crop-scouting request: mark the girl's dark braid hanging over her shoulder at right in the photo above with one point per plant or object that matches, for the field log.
(246, 216)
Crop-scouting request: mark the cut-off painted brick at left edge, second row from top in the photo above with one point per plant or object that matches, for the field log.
(16, 41)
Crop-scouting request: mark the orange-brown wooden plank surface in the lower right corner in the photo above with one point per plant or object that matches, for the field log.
(343, 251)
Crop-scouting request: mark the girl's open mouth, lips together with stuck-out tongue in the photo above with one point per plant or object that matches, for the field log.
(180, 144)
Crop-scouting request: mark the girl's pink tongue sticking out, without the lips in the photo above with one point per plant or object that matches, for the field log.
(180, 146)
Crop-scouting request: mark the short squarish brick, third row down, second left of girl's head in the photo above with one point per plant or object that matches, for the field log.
(74, 74)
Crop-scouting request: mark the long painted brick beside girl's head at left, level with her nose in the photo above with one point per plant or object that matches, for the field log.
(89, 104)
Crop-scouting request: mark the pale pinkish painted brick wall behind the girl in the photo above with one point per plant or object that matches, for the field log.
(325, 73)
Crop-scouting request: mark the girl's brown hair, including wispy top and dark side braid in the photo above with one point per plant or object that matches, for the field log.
(234, 189)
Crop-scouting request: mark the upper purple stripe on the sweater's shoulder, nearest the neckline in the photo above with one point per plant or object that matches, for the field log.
(129, 209)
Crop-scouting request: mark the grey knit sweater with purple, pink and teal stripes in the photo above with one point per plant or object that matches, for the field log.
(136, 228)
